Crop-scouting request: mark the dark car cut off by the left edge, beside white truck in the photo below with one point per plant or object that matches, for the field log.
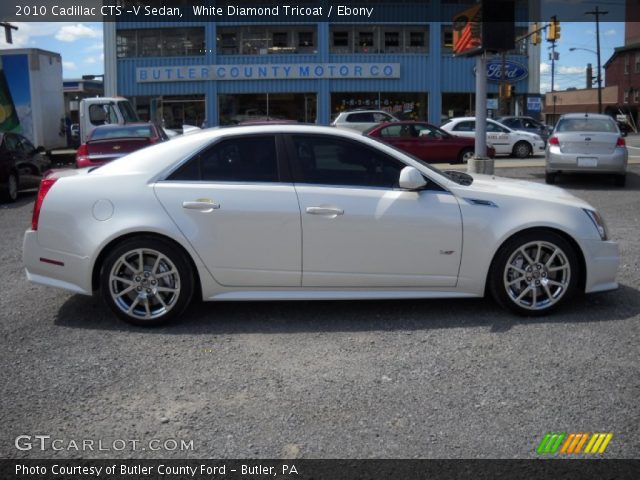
(21, 165)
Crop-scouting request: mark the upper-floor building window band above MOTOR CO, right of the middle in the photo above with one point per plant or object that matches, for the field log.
(379, 39)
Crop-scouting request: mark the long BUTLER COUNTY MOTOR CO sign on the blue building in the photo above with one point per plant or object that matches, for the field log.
(285, 71)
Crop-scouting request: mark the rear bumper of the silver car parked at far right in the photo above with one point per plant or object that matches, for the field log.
(557, 161)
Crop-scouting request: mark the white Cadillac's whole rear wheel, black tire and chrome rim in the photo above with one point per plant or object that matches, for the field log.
(147, 281)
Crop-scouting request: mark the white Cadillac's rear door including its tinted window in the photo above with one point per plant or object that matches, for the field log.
(233, 204)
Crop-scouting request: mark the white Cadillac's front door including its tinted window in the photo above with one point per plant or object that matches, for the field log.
(360, 229)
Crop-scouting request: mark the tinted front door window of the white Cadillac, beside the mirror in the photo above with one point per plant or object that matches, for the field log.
(334, 161)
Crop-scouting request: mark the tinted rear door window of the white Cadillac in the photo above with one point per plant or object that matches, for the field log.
(246, 159)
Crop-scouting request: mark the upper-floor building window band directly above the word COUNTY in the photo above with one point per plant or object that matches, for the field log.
(263, 40)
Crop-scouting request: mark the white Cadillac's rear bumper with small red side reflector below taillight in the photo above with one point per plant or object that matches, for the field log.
(53, 268)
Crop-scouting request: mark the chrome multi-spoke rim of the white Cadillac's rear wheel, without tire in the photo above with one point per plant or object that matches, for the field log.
(144, 284)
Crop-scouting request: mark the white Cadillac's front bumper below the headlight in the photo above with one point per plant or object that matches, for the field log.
(603, 260)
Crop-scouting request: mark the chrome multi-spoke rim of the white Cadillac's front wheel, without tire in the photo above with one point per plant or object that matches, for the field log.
(537, 275)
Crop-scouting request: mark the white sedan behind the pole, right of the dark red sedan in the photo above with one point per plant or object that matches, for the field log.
(505, 140)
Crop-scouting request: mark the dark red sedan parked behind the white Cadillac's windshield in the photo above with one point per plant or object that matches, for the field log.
(426, 142)
